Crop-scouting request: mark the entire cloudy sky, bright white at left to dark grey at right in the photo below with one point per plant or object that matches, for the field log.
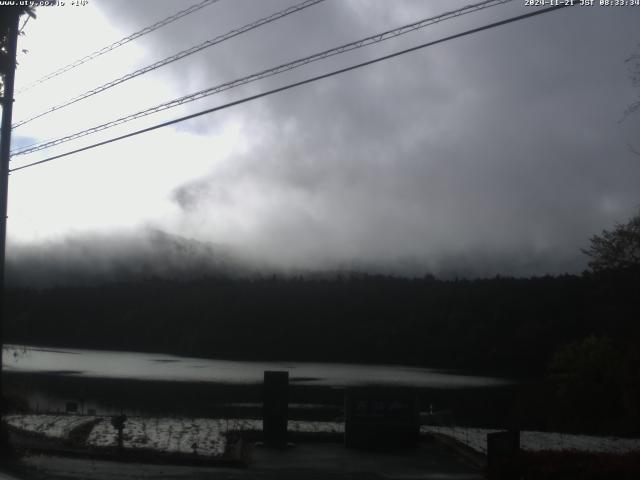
(500, 152)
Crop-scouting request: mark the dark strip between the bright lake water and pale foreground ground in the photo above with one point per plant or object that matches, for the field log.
(45, 392)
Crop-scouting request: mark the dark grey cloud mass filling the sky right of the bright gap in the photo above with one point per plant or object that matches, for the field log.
(496, 153)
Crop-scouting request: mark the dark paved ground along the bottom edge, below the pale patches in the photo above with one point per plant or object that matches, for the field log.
(430, 460)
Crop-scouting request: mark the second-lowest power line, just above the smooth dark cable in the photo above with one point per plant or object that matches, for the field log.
(265, 73)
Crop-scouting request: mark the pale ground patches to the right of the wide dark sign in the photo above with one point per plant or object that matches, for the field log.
(476, 438)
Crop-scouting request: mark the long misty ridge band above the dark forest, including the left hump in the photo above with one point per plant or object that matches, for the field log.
(93, 259)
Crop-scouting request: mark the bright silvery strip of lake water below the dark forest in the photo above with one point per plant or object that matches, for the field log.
(161, 367)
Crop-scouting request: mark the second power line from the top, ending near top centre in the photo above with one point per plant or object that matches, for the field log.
(176, 57)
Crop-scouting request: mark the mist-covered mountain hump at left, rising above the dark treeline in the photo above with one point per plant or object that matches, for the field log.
(96, 259)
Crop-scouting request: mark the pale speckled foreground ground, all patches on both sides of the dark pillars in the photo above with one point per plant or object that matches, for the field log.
(208, 436)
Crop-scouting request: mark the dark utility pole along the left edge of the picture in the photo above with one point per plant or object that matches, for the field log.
(9, 17)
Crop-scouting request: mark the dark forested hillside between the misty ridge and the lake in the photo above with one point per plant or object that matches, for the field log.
(501, 325)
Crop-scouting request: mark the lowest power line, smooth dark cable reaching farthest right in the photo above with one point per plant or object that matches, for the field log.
(297, 84)
